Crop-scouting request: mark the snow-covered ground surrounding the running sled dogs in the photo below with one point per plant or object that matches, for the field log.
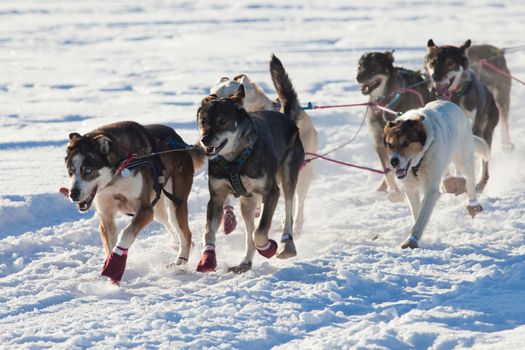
(74, 65)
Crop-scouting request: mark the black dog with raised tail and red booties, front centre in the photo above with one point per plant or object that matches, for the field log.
(249, 155)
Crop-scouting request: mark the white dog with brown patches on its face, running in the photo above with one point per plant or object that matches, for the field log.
(421, 145)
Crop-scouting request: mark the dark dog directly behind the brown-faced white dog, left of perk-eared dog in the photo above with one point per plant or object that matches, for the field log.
(381, 81)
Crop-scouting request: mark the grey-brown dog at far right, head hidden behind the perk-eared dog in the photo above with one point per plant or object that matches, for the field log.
(498, 84)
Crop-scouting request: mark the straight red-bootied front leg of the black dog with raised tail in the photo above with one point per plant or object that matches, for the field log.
(208, 260)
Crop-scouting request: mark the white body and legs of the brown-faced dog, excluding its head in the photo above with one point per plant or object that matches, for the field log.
(449, 140)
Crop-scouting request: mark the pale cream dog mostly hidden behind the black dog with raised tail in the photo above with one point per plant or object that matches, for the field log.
(257, 100)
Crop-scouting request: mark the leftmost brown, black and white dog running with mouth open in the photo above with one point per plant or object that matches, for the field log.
(93, 162)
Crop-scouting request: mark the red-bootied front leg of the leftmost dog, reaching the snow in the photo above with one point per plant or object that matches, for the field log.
(115, 264)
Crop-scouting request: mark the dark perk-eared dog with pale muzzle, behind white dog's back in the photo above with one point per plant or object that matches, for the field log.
(452, 79)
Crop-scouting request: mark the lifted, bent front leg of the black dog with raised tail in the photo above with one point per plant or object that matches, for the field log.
(267, 247)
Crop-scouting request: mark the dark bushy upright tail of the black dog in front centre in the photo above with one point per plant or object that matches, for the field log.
(283, 85)
